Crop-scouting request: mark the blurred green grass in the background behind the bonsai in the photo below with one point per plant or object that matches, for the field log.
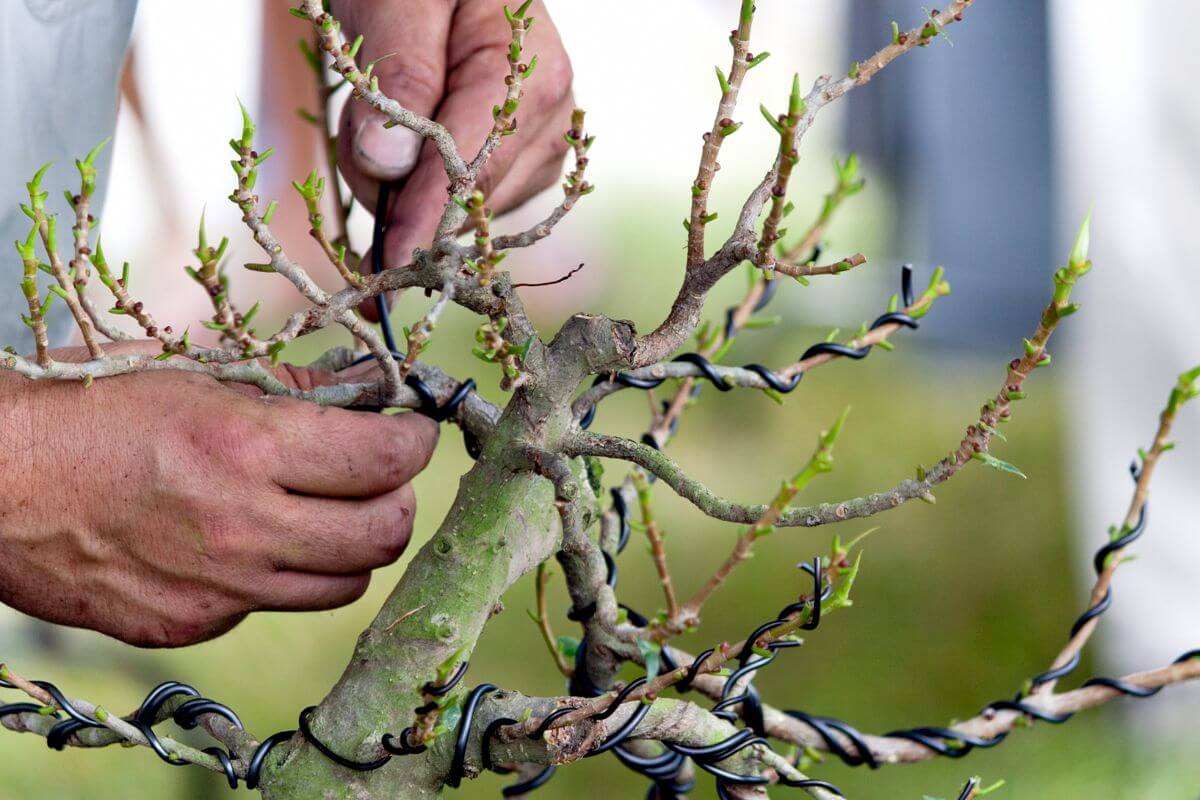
(957, 604)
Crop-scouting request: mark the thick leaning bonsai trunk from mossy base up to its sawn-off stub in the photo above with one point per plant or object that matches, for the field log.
(503, 524)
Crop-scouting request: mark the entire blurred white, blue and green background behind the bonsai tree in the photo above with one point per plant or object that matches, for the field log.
(983, 154)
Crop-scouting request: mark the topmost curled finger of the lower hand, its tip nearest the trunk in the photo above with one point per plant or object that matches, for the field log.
(333, 453)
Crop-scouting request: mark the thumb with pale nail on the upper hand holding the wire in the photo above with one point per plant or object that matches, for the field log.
(411, 51)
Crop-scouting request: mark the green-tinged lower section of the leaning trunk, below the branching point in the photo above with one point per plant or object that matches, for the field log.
(502, 525)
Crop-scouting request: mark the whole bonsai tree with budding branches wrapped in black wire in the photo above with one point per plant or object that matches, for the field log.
(403, 721)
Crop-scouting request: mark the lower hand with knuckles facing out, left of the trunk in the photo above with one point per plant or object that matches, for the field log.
(163, 508)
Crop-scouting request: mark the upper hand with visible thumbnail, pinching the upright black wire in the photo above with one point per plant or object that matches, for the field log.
(447, 61)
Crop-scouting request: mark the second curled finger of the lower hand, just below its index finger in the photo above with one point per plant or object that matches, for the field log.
(333, 537)
